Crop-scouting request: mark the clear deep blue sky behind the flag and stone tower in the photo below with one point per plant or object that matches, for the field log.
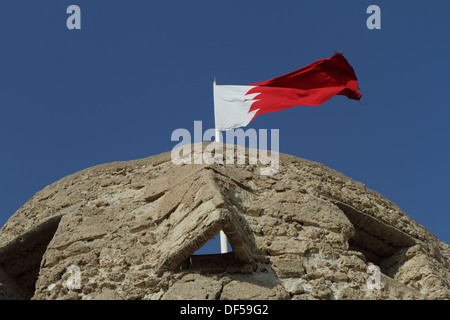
(137, 70)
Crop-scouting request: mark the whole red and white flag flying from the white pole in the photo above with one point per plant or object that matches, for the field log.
(237, 106)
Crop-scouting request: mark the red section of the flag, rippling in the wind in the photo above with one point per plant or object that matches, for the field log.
(309, 86)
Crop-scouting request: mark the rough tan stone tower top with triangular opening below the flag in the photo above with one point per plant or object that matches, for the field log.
(308, 232)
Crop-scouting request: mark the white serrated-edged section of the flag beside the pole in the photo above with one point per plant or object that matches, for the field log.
(232, 105)
